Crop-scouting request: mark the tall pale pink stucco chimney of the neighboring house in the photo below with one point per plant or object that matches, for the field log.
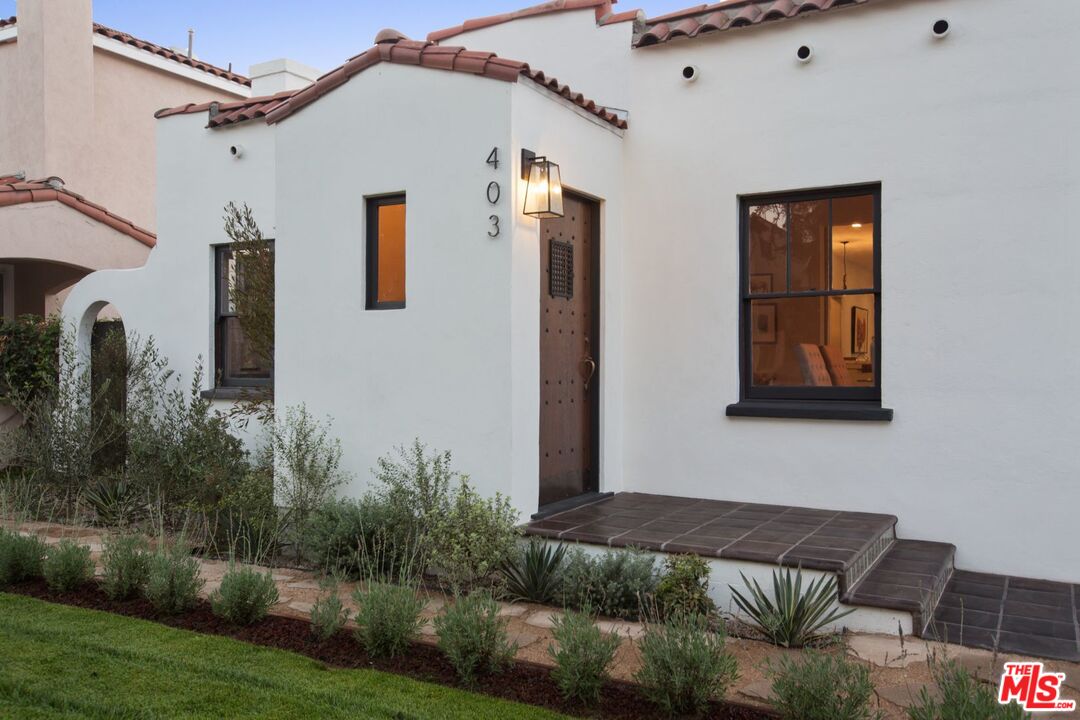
(55, 79)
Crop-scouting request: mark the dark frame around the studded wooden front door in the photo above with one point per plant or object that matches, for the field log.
(593, 480)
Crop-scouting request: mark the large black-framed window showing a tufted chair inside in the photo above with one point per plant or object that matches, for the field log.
(812, 296)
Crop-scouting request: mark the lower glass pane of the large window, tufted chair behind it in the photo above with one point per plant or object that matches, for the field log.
(816, 343)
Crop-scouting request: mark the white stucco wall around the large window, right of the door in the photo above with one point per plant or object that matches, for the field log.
(974, 142)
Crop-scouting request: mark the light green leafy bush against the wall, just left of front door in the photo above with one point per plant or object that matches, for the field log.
(472, 538)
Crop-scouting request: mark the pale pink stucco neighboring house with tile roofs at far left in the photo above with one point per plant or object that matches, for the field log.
(77, 146)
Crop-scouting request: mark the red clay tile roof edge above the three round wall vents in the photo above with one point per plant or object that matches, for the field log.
(730, 15)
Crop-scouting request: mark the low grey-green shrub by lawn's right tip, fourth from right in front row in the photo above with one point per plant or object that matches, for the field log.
(583, 656)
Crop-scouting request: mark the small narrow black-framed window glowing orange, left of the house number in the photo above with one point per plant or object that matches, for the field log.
(386, 253)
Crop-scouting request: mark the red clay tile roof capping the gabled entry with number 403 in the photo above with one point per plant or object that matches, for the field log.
(395, 48)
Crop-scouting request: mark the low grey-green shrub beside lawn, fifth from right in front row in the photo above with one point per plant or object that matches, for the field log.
(474, 637)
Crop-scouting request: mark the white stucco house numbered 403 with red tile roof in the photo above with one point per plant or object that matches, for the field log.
(799, 259)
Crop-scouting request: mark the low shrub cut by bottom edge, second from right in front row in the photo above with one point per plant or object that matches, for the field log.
(821, 687)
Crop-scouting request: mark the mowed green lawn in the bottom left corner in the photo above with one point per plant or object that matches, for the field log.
(61, 662)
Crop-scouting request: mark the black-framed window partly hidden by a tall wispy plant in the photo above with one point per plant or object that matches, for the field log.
(237, 364)
